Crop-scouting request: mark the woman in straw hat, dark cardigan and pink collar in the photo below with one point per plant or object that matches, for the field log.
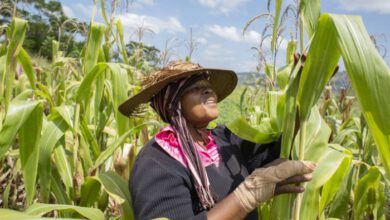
(190, 172)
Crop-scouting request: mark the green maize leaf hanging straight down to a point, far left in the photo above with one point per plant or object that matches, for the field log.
(29, 135)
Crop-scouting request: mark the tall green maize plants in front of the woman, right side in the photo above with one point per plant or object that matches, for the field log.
(352, 152)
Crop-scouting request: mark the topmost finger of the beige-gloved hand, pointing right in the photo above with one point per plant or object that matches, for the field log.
(294, 167)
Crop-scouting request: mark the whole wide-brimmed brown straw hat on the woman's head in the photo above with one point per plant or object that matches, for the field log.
(222, 81)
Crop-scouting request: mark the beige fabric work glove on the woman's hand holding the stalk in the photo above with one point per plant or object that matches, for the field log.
(262, 183)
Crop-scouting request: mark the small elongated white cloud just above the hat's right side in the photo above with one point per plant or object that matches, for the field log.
(234, 34)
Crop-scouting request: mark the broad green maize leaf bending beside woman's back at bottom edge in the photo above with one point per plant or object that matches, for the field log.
(117, 188)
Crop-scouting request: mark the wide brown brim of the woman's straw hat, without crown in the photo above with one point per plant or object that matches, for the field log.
(222, 81)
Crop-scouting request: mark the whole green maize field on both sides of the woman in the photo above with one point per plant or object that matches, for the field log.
(66, 151)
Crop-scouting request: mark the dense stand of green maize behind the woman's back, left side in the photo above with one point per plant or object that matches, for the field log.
(65, 150)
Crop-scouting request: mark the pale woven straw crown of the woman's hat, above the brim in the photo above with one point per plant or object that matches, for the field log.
(173, 68)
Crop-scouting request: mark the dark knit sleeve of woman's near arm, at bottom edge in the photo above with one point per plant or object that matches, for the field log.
(157, 192)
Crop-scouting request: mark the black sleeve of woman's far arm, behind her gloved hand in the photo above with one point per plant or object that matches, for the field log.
(257, 155)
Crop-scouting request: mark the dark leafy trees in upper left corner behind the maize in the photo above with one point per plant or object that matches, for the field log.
(47, 22)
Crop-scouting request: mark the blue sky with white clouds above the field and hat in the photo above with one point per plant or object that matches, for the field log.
(217, 26)
